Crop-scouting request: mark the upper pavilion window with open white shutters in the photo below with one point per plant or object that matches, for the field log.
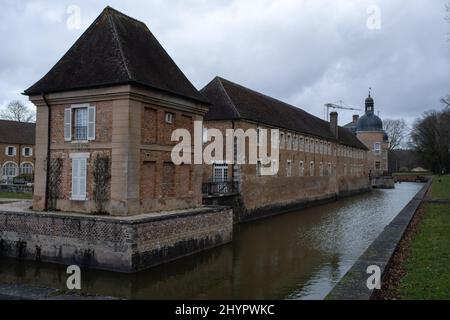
(79, 123)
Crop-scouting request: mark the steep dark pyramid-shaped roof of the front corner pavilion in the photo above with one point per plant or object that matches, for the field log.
(116, 49)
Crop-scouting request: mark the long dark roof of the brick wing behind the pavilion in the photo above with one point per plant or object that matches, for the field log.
(231, 101)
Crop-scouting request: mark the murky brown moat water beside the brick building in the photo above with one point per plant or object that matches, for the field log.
(299, 255)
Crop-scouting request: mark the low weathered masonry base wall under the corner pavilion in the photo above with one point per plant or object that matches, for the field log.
(117, 244)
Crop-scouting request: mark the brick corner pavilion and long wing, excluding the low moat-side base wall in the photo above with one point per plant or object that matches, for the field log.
(106, 113)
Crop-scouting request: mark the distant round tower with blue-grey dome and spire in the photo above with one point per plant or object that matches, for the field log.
(369, 130)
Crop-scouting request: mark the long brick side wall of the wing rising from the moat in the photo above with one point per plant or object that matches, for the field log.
(349, 173)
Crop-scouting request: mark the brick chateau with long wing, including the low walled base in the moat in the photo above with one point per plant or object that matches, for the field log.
(108, 193)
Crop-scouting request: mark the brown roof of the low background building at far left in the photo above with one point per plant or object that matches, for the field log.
(12, 132)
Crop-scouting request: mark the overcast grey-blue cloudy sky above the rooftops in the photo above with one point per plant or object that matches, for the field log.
(304, 52)
